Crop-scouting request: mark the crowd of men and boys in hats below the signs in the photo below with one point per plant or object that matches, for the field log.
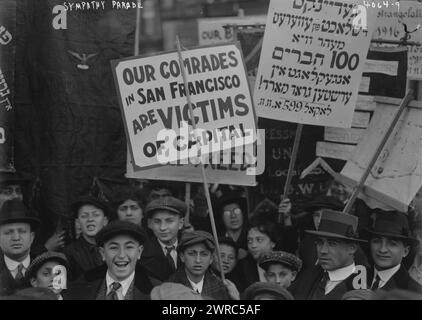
(138, 246)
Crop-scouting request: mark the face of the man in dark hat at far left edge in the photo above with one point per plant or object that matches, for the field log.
(16, 239)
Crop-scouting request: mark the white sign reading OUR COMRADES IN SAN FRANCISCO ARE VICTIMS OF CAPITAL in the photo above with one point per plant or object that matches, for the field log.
(156, 113)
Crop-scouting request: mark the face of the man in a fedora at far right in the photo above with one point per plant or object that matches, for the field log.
(387, 252)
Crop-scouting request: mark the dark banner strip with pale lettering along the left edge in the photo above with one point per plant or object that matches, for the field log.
(7, 78)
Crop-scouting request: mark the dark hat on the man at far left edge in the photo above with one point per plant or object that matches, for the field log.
(15, 211)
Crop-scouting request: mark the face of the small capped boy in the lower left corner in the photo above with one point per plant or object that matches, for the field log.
(45, 276)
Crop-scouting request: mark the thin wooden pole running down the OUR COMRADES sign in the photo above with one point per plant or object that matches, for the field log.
(204, 176)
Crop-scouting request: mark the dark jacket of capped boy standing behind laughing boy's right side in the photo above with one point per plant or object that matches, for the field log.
(155, 262)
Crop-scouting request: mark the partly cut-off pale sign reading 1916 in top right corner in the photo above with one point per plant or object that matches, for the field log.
(389, 26)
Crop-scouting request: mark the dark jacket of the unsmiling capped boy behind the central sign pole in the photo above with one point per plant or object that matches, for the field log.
(213, 286)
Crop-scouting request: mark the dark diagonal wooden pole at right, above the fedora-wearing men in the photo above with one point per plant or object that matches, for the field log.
(403, 105)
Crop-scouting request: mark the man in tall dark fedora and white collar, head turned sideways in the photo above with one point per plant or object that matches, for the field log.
(336, 241)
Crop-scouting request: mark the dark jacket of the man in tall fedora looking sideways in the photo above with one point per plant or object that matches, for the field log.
(303, 287)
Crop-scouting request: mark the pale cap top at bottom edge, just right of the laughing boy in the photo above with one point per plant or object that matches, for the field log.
(174, 291)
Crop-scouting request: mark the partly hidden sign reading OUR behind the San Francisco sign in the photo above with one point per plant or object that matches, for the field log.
(213, 31)
